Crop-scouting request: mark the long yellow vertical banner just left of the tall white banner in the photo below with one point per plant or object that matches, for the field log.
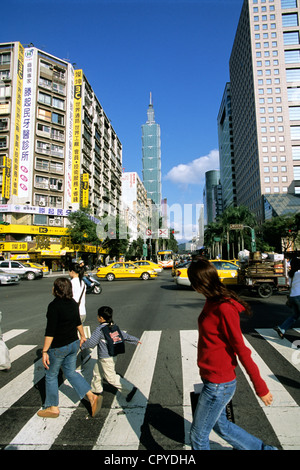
(18, 117)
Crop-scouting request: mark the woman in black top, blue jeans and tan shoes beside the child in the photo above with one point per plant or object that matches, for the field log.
(60, 349)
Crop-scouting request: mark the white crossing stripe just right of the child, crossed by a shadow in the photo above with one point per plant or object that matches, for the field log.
(122, 428)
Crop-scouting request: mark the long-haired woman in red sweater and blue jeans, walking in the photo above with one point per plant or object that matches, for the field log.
(220, 342)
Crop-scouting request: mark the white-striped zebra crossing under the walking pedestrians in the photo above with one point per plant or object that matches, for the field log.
(123, 422)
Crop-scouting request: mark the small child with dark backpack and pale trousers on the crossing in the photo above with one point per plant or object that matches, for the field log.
(105, 366)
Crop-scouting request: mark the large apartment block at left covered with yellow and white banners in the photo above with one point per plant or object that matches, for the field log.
(58, 149)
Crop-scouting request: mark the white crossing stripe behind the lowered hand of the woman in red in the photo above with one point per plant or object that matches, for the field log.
(284, 413)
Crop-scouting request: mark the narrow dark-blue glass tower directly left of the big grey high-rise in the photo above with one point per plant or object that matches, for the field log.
(226, 150)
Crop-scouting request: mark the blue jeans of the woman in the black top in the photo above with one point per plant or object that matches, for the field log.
(65, 358)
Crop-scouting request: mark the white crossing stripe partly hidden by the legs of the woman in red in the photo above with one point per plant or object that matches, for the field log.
(192, 382)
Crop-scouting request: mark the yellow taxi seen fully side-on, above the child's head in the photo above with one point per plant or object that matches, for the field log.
(126, 270)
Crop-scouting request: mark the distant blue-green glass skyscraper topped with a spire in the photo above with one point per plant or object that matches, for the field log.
(151, 149)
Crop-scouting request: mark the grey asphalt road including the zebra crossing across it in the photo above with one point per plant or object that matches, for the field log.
(163, 368)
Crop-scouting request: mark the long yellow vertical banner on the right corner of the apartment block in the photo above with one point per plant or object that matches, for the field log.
(76, 136)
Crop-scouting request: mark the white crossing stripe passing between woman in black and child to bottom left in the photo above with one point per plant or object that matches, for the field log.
(39, 433)
